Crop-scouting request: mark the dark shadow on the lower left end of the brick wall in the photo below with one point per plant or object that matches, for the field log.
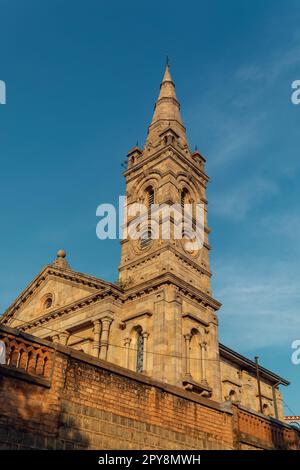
(30, 418)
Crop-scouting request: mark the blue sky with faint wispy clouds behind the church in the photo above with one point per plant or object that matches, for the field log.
(82, 79)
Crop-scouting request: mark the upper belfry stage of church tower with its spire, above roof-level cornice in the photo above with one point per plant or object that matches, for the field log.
(166, 173)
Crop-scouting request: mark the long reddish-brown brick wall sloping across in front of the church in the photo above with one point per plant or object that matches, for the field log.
(76, 401)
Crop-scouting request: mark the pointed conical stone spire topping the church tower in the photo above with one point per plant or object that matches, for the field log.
(167, 110)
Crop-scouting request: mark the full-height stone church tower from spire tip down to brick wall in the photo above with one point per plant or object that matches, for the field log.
(165, 277)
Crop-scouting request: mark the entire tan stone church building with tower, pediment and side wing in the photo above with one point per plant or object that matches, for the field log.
(160, 319)
